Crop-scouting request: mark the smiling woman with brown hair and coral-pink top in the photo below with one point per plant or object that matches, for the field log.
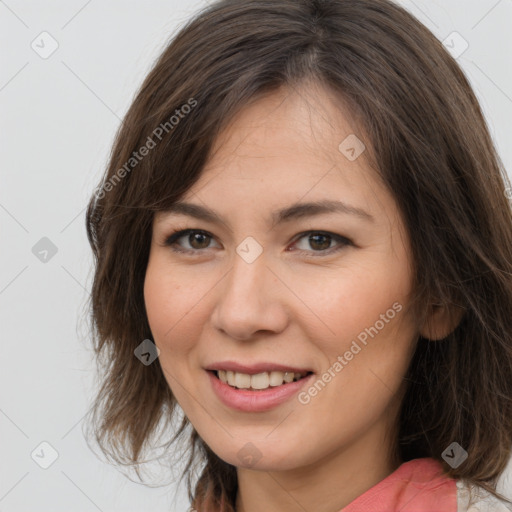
(303, 242)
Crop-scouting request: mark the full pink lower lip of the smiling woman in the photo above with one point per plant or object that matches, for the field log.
(255, 401)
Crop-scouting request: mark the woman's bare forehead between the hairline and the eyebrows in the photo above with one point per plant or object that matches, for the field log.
(286, 147)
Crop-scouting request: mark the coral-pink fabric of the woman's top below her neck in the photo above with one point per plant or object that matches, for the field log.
(415, 486)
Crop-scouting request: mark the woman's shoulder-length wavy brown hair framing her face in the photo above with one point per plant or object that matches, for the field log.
(430, 144)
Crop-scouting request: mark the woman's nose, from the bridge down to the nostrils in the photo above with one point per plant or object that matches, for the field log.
(250, 301)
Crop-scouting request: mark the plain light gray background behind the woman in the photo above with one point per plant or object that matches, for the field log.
(58, 118)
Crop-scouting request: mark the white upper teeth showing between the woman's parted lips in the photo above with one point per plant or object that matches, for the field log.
(259, 381)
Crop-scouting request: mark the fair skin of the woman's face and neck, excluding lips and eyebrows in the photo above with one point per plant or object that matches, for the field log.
(300, 302)
